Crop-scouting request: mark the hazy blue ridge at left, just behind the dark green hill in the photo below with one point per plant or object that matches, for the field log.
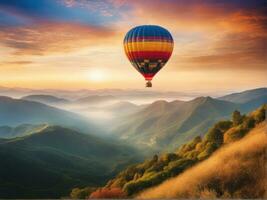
(14, 112)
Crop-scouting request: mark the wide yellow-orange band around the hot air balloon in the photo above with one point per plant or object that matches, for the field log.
(148, 46)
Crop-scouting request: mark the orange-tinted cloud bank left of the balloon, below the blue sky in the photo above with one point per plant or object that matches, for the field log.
(52, 37)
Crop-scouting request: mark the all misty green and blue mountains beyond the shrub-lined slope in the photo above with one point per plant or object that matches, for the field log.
(46, 151)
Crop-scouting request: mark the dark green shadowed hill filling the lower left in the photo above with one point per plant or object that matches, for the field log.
(48, 163)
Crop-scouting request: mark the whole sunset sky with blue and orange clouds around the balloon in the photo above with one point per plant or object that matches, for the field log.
(219, 45)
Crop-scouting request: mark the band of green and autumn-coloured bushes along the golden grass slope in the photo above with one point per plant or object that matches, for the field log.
(158, 169)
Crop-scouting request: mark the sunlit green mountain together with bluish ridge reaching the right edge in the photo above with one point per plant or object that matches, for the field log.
(164, 125)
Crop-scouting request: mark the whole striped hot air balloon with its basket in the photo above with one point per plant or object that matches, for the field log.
(148, 48)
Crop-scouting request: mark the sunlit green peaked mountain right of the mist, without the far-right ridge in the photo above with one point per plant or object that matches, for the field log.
(164, 121)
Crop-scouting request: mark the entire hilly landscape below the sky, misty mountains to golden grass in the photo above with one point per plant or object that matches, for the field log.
(121, 143)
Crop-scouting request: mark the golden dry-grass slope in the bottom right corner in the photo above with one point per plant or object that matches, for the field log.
(235, 171)
